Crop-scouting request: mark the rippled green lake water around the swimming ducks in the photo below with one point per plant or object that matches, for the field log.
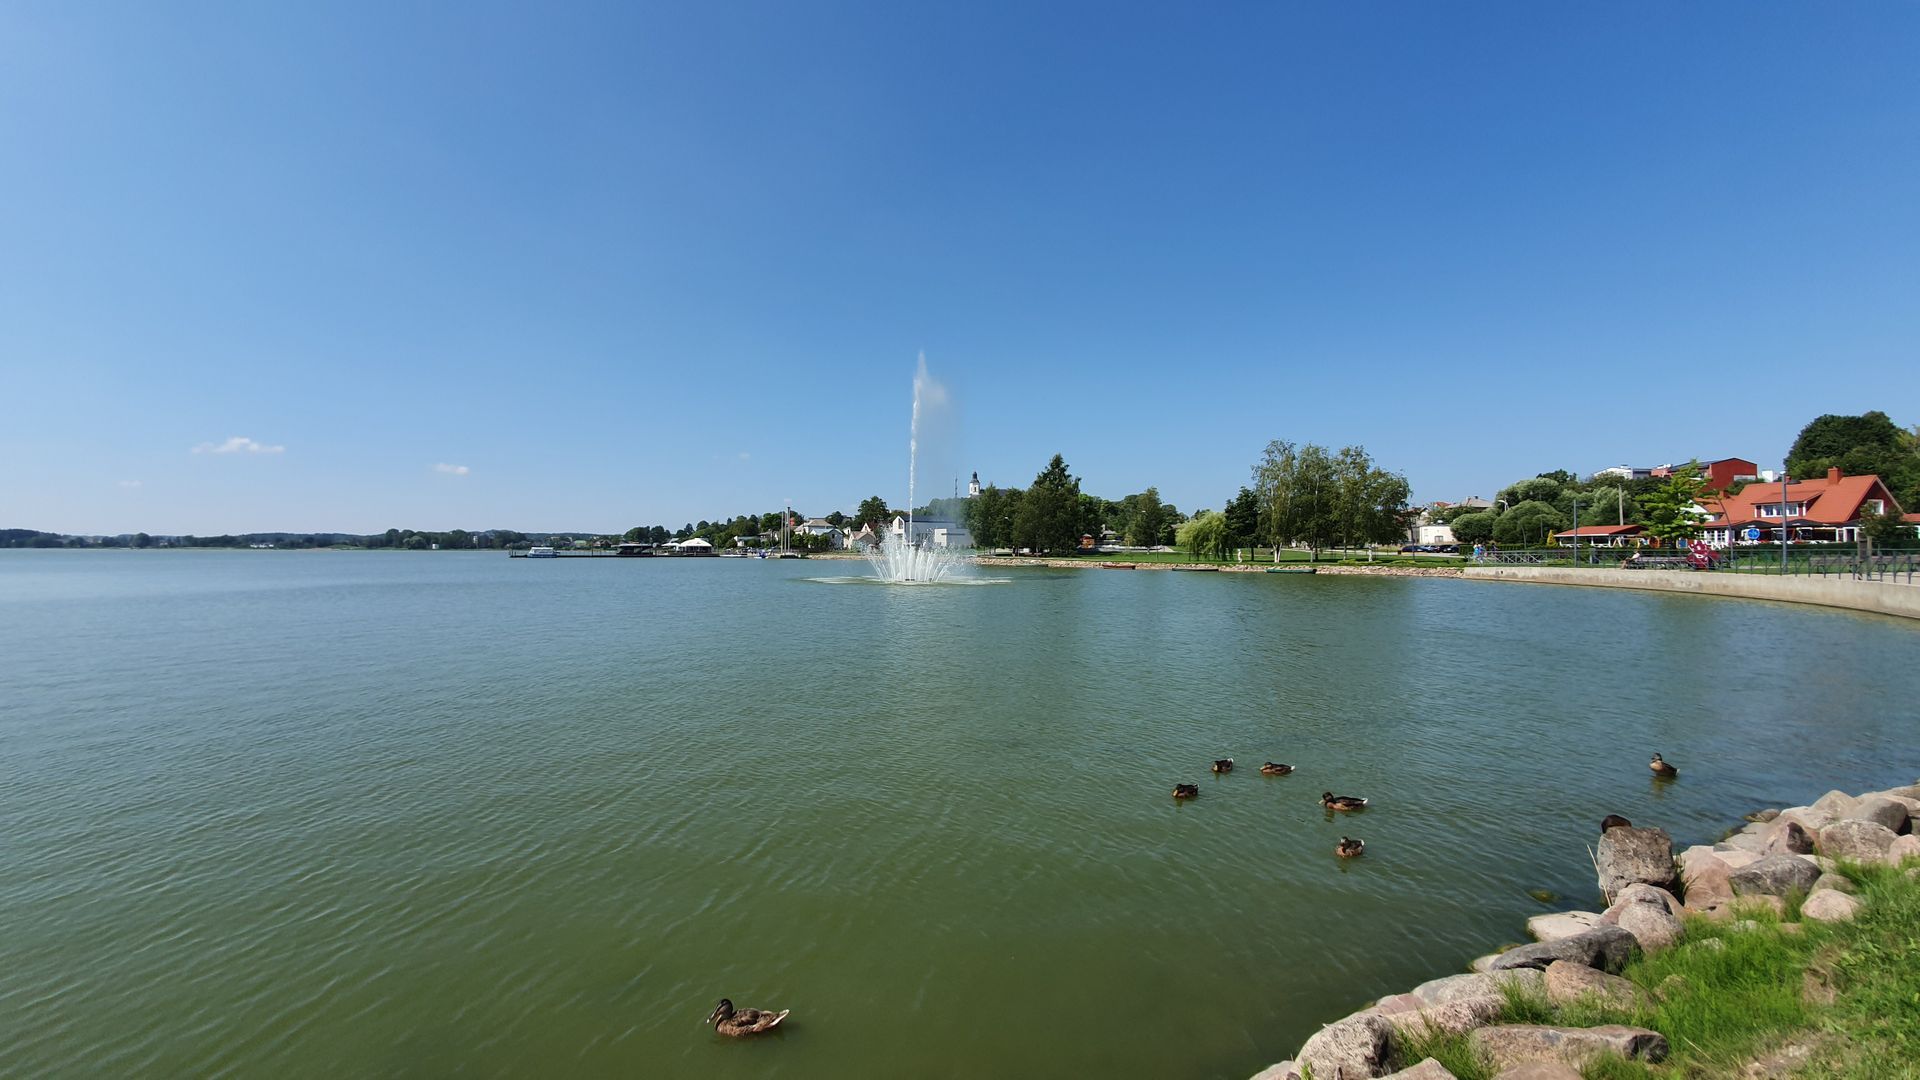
(324, 814)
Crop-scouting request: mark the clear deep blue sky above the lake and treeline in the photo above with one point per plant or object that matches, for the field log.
(600, 266)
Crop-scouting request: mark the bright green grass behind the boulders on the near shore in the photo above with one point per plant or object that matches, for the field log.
(1721, 1006)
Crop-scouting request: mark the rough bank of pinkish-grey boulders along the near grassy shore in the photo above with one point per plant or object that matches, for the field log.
(1581, 954)
